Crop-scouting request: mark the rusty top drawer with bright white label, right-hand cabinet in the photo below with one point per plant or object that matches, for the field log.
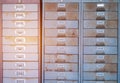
(102, 7)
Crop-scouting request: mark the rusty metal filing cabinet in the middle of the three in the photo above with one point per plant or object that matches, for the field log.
(61, 40)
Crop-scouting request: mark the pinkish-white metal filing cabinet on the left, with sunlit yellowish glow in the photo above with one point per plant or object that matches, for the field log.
(20, 19)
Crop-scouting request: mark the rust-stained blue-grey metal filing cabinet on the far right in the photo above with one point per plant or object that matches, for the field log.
(100, 41)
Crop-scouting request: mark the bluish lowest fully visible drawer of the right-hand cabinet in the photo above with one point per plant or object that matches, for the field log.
(100, 76)
